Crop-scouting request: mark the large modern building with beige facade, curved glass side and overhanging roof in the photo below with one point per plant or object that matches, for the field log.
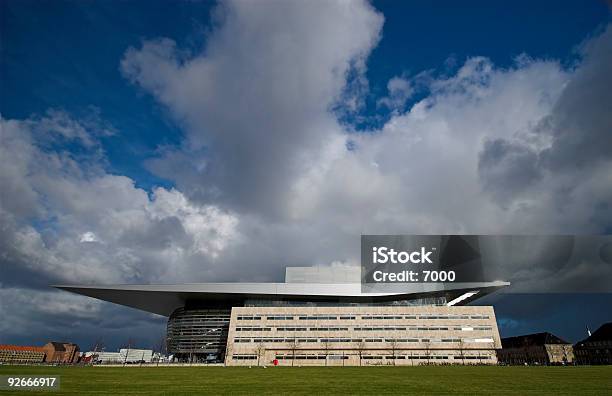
(319, 316)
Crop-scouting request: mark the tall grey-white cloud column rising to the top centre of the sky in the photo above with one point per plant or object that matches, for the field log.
(255, 103)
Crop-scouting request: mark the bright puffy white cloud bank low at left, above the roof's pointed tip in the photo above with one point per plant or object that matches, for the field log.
(144, 238)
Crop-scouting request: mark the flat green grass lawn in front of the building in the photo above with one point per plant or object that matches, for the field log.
(456, 380)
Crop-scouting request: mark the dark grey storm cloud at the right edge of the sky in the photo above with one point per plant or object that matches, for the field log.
(579, 128)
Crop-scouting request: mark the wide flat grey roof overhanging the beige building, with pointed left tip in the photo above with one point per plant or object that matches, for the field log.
(164, 299)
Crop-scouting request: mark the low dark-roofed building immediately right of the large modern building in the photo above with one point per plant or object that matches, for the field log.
(538, 348)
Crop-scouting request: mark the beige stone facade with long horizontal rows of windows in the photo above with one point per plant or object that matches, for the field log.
(362, 335)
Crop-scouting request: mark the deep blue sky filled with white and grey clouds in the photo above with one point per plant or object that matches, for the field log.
(204, 141)
